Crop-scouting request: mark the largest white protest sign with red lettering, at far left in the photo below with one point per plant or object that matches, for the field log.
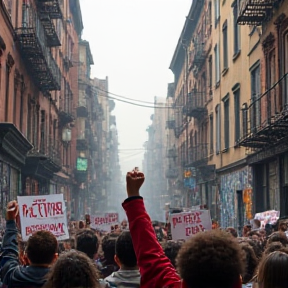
(45, 212)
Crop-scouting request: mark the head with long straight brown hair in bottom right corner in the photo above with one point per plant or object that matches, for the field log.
(272, 271)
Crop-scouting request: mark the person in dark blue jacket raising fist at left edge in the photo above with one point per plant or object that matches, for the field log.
(41, 253)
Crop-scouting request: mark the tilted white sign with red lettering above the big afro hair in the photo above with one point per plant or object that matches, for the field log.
(186, 224)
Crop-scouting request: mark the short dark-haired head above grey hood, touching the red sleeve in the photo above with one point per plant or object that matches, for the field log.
(124, 251)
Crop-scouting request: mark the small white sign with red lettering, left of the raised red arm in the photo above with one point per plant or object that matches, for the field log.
(104, 221)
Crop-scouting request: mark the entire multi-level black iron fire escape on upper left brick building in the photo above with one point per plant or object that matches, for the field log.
(35, 38)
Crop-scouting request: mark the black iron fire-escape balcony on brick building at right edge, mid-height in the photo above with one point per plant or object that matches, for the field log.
(265, 120)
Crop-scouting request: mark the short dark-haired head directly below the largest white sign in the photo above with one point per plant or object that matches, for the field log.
(42, 248)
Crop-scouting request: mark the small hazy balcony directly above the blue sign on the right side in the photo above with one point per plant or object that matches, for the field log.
(198, 155)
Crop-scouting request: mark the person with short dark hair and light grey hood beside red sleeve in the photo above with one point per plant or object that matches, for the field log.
(128, 275)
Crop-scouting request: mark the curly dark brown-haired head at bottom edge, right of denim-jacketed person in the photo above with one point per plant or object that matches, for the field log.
(73, 269)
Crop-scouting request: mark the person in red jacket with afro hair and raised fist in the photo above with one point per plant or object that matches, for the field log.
(208, 259)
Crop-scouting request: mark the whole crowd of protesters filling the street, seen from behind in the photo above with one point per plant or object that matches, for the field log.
(138, 257)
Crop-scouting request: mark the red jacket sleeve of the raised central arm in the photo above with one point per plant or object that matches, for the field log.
(155, 268)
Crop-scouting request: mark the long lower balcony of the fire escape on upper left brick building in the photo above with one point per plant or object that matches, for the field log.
(37, 56)
